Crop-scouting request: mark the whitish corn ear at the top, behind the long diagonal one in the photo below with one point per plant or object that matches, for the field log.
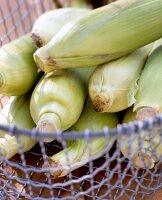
(49, 23)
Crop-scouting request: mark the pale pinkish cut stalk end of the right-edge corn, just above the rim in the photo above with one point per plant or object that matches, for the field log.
(146, 113)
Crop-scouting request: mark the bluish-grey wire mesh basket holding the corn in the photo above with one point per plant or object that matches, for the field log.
(108, 175)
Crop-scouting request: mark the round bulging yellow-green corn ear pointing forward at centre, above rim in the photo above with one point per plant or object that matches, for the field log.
(58, 99)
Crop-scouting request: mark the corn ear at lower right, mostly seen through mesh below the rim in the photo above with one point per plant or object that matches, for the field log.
(144, 149)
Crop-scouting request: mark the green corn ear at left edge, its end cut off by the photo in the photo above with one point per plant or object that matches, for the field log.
(18, 72)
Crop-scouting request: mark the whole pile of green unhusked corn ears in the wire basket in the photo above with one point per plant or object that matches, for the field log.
(83, 52)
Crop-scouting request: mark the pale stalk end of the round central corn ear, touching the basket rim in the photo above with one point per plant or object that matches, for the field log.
(48, 122)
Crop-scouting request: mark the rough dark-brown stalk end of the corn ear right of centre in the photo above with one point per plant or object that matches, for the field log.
(101, 103)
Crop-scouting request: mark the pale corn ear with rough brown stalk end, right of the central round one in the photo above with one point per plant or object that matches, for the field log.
(112, 86)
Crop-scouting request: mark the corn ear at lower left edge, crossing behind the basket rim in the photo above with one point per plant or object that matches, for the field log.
(16, 112)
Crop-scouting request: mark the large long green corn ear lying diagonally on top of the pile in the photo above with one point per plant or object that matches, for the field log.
(102, 35)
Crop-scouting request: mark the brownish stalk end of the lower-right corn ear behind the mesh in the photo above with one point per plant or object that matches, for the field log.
(143, 161)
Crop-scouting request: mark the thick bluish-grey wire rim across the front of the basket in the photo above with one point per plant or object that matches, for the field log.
(134, 127)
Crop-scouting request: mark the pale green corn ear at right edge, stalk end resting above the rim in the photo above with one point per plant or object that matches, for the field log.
(148, 98)
